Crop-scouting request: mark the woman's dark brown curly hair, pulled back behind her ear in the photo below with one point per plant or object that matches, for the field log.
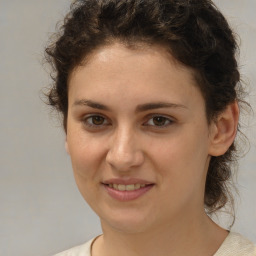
(193, 31)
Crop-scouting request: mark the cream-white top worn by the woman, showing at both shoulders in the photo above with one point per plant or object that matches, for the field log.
(233, 245)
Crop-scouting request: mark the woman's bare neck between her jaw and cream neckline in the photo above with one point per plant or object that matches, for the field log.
(189, 236)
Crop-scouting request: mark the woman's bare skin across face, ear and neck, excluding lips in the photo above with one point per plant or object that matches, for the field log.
(125, 143)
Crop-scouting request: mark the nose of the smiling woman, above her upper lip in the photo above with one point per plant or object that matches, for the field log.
(124, 152)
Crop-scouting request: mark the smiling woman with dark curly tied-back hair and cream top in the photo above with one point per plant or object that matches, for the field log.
(149, 91)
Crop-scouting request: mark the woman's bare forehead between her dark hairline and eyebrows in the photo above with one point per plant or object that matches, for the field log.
(141, 72)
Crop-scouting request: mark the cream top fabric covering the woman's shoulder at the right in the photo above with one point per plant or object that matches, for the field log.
(236, 245)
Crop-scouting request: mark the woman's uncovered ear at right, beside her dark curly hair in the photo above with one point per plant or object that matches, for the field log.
(223, 130)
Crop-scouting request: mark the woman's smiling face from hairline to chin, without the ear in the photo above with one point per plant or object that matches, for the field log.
(138, 137)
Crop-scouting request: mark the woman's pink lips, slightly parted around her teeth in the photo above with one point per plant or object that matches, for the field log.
(125, 195)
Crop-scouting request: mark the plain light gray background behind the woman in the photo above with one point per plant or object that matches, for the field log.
(41, 210)
